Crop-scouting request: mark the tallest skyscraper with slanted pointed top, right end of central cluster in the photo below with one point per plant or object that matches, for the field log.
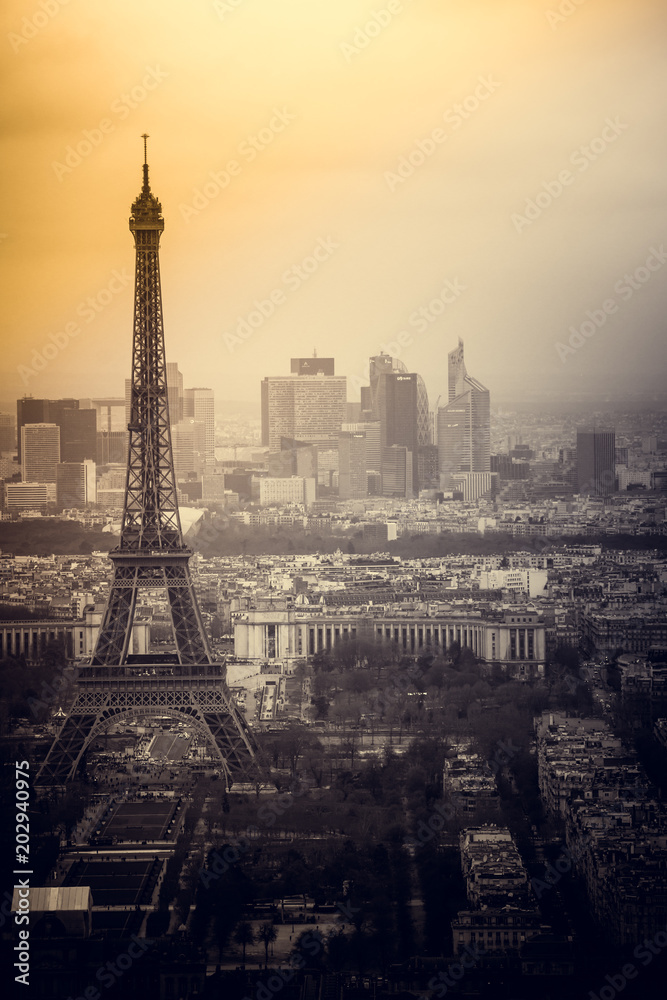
(464, 424)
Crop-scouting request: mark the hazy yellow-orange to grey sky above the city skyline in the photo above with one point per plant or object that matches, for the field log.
(374, 164)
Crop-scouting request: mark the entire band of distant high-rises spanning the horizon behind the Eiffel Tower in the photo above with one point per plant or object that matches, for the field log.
(73, 452)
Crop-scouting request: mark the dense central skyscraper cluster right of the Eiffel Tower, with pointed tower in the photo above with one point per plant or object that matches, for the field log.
(388, 444)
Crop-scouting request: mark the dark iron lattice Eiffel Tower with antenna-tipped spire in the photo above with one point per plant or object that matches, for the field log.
(118, 685)
